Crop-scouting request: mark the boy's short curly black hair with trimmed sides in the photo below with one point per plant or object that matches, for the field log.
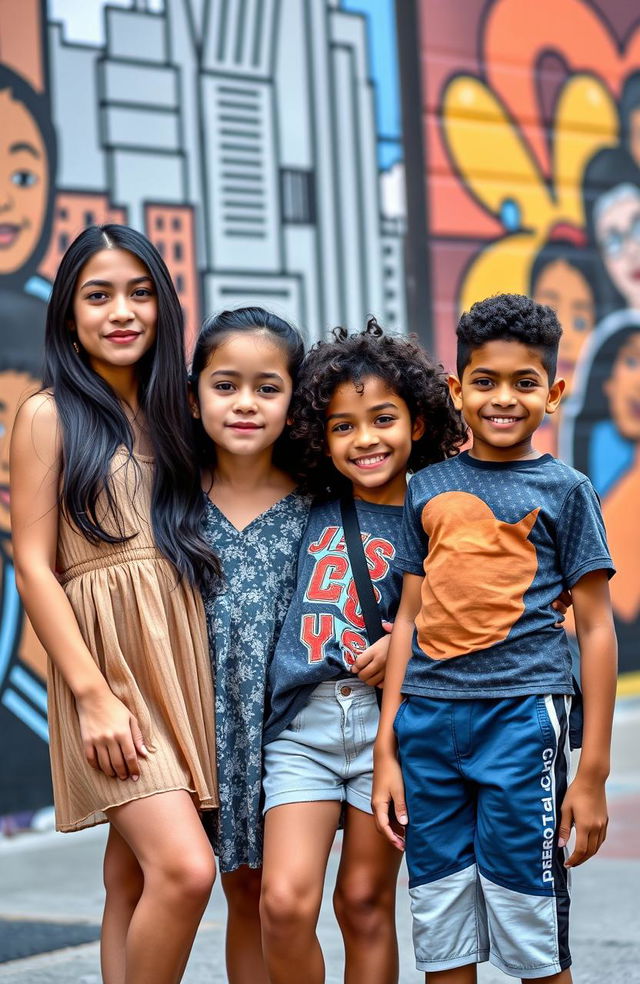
(513, 318)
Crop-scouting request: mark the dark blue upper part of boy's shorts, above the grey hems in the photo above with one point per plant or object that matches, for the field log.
(484, 782)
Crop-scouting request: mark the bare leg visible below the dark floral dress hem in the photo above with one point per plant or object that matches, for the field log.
(245, 963)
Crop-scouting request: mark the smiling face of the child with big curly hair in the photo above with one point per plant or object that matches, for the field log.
(369, 436)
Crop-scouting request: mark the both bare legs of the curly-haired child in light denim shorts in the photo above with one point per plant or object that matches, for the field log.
(298, 838)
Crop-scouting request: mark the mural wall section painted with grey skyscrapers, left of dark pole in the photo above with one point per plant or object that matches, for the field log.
(256, 143)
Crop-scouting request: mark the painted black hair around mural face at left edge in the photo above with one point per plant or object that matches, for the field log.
(37, 105)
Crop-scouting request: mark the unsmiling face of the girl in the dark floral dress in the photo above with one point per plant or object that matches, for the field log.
(244, 393)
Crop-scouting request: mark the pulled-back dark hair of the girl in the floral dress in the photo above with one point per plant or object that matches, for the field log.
(248, 320)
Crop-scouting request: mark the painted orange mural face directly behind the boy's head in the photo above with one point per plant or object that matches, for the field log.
(564, 289)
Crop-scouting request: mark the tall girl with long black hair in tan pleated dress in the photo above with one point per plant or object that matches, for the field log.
(106, 520)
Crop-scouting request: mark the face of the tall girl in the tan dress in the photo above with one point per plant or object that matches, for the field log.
(115, 311)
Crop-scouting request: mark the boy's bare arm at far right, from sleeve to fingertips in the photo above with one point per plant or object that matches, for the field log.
(585, 805)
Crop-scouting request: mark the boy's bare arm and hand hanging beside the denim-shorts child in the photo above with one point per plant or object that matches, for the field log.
(388, 788)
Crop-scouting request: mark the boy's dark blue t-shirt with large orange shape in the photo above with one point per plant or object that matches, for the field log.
(496, 543)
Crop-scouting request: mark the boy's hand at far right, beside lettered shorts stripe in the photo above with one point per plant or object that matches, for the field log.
(585, 808)
